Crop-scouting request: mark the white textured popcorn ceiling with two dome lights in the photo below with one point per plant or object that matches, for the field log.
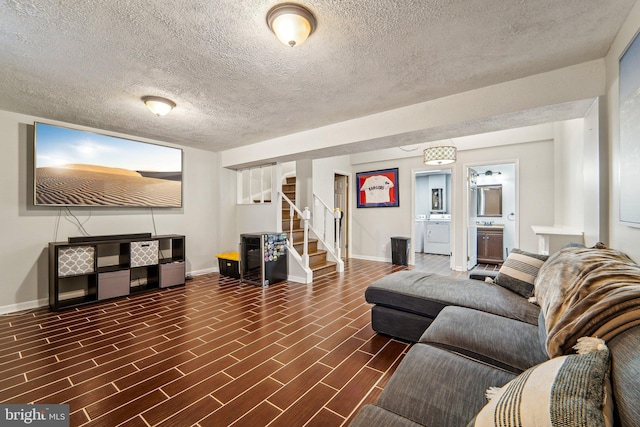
(88, 62)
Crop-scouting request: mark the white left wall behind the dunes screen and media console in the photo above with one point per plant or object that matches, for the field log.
(26, 230)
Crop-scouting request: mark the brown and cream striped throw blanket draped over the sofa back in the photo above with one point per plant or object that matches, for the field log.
(587, 292)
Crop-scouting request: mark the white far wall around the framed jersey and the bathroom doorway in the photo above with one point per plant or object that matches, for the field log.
(373, 227)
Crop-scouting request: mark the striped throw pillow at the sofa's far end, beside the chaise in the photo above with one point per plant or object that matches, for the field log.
(519, 271)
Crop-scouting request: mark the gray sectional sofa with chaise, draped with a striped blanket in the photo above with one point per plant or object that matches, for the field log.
(471, 335)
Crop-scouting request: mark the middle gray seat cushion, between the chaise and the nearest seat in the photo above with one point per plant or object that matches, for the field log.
(506, 343)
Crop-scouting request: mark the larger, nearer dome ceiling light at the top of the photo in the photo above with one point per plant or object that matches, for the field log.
(291, 23)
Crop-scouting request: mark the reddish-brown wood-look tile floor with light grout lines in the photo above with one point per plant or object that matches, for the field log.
(212, 353)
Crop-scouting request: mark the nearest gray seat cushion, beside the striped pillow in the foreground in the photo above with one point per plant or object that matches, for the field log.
(434, 387)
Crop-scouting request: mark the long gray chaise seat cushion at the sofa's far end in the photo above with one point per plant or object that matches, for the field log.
(427, 294)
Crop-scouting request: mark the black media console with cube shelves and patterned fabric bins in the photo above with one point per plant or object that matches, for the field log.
(86, 270)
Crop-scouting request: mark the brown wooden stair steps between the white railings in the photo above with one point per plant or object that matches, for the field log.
(317, 257)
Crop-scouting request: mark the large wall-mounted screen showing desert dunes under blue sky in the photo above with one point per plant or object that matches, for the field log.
(78, 168)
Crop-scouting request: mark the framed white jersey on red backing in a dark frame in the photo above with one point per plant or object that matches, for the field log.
(378, 189)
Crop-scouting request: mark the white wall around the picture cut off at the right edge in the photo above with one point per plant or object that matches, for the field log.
(621, 236)
